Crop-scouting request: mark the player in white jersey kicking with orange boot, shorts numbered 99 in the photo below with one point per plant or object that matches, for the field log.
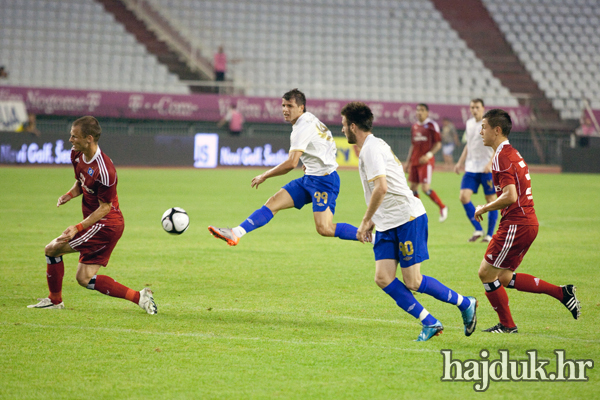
(313, 144)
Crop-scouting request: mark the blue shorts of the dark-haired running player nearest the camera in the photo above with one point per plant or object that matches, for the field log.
(406, 243)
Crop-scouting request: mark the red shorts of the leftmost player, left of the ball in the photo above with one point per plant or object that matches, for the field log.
(96, 243)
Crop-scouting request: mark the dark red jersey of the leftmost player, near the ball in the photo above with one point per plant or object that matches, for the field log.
(98, 181)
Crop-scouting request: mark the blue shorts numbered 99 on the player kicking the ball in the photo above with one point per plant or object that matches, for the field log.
(322, 191)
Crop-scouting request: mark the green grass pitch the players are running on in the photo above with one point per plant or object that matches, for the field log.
(286, 314)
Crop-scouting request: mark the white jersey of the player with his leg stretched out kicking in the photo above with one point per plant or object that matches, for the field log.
(315, 141)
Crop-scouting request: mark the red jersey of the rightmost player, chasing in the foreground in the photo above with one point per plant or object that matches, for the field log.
(509, 168)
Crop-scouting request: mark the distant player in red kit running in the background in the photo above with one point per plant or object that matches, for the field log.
(425, 142)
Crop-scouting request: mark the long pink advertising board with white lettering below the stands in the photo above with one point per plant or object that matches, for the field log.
(212, 107)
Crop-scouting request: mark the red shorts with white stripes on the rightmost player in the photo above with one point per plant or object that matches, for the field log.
(509, 245)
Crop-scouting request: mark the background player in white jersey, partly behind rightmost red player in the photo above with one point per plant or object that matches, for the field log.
(477, 160)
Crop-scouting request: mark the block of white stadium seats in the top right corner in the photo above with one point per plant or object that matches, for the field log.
(559, 44)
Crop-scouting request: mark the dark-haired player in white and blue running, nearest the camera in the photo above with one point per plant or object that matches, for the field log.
(401, 227)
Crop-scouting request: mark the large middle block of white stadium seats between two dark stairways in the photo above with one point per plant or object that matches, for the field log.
(356, 49)
